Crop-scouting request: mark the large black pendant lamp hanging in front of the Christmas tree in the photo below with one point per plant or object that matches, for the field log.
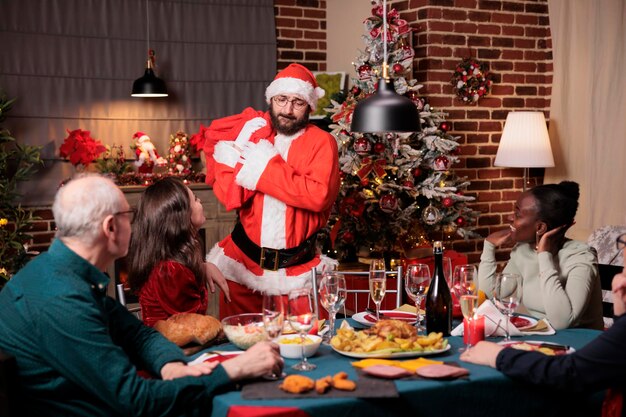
(385, 110)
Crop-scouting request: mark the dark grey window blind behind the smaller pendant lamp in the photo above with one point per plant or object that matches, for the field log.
(71, 64)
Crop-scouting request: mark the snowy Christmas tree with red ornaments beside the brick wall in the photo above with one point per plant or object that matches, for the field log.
(398, 191)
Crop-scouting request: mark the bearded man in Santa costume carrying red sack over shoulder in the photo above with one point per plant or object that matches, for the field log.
(281, 173)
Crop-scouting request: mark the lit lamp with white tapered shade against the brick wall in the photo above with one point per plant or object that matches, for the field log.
(525, 143)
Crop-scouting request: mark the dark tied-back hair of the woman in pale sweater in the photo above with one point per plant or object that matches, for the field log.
(557, 203)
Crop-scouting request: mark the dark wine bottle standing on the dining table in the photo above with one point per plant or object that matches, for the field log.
(438, 298)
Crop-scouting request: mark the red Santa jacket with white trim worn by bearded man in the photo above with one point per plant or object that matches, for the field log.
(290, 184)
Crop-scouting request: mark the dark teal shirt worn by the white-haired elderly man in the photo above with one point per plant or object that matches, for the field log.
(78, 350)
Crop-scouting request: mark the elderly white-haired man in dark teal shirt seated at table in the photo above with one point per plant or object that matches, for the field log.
(78, 350)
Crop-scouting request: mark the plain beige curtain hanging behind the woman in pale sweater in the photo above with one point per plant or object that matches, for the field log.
(587, 123)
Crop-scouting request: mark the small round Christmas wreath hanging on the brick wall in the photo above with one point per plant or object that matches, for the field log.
(471, 80)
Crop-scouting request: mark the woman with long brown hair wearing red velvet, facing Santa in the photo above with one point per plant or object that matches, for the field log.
(166, 266)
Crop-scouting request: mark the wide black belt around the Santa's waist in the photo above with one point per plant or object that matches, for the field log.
(274, 259)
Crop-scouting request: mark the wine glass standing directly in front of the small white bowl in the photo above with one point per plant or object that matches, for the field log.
(302, 319)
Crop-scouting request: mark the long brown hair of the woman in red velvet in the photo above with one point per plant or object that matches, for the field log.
(162, 230)
